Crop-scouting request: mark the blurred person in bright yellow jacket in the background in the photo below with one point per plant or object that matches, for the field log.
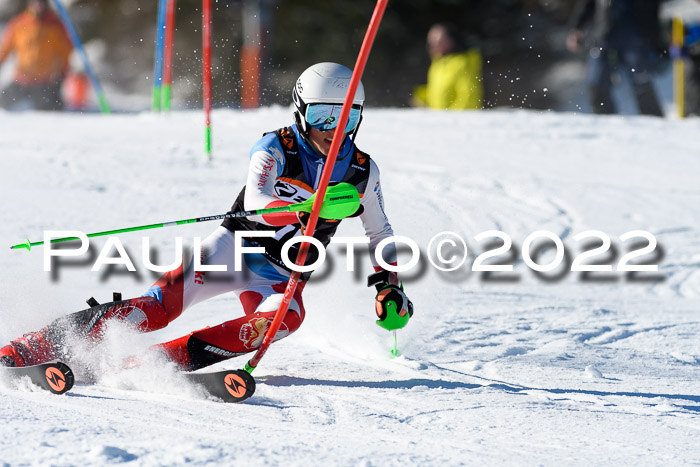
(454, 76)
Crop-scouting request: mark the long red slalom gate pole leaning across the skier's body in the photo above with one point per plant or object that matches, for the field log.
(323, 184)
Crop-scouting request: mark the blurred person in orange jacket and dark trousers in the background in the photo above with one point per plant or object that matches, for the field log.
(42, 46)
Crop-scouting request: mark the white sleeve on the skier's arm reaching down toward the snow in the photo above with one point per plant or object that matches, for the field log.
(374, 219)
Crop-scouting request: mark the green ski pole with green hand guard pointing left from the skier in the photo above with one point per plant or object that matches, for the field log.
(340, 201)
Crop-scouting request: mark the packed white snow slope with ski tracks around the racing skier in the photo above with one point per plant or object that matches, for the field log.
(519, 368)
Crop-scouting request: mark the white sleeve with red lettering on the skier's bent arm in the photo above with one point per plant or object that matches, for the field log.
(265, 166)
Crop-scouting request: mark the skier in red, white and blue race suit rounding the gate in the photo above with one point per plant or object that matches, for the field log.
(285, 168)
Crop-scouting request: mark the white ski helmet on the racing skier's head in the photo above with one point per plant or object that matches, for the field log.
(324, 83)
